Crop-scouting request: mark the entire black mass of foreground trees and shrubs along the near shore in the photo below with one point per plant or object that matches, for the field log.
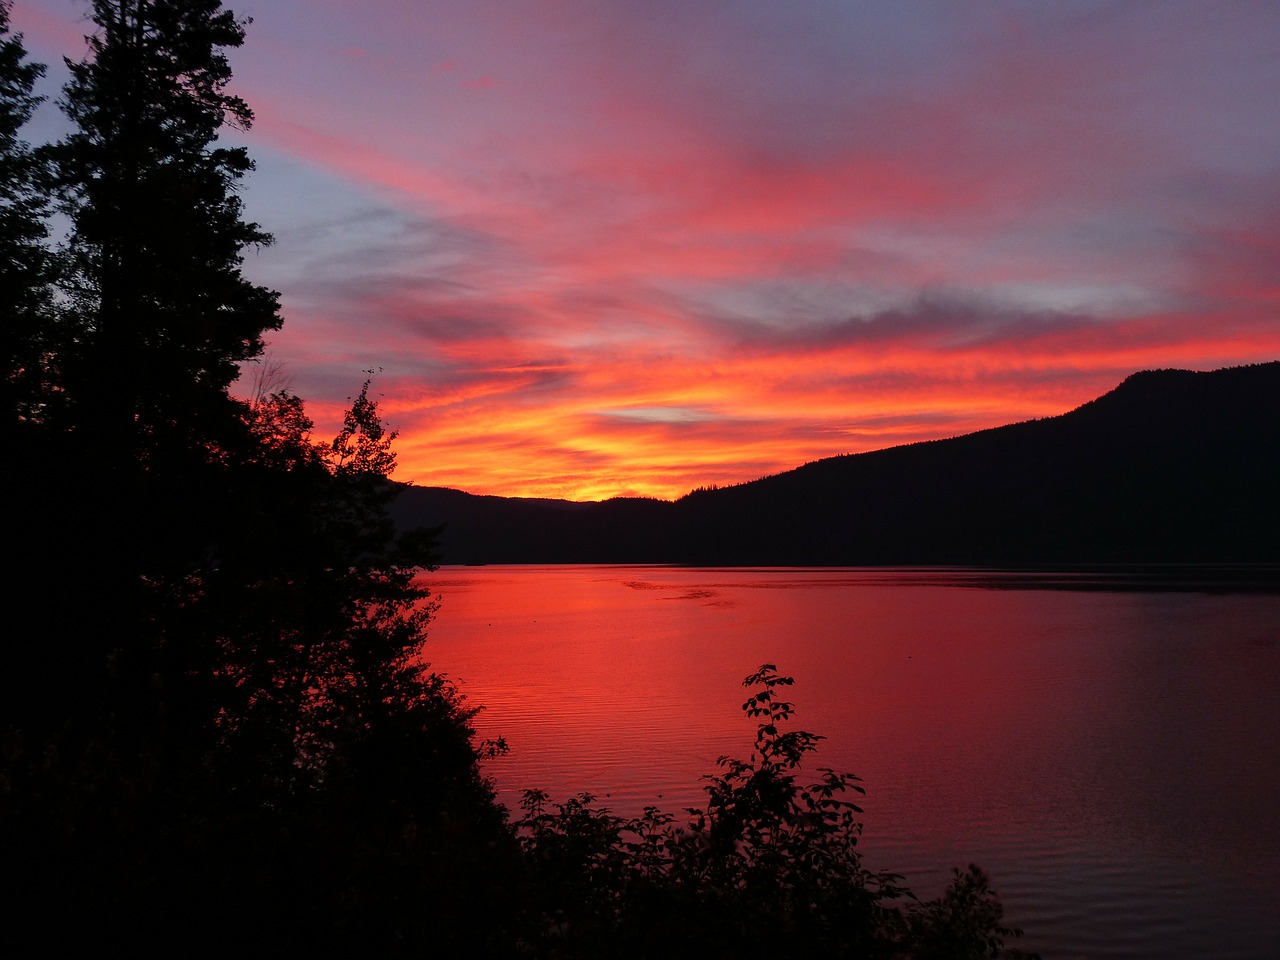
(218, 728)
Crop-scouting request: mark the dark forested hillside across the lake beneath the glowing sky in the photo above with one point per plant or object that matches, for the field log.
(1171, 467)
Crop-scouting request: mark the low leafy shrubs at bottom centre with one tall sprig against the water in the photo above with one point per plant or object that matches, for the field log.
(769, 865)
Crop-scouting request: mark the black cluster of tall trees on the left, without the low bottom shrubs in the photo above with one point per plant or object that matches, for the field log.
(222, 719)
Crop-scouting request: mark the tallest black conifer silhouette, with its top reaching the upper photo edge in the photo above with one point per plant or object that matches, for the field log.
(153, 319)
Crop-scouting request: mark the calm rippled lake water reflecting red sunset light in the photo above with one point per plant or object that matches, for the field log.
(1113, 760)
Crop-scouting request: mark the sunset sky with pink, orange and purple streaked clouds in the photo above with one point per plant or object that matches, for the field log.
(633, 248)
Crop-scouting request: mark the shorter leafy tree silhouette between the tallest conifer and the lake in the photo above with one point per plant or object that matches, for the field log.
(335, 743)
